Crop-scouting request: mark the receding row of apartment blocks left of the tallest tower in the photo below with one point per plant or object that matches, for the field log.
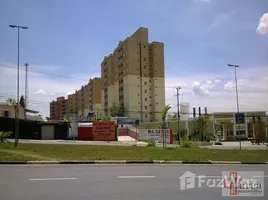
(83, 101)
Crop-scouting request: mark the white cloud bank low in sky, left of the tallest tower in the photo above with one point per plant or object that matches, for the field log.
(48, 87)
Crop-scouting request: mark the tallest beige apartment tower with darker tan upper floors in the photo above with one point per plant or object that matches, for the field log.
(133, 75)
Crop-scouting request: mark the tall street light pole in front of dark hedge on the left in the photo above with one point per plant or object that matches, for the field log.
(18, 84)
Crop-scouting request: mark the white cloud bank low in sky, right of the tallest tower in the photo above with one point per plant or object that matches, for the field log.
(219, 96)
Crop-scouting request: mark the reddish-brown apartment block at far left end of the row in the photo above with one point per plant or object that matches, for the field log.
(58, 108)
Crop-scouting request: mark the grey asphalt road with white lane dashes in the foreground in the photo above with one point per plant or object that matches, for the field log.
(111, 182)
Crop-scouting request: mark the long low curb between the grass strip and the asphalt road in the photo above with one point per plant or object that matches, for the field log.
(126, 162)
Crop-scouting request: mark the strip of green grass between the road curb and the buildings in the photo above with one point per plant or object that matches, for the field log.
(31, 152)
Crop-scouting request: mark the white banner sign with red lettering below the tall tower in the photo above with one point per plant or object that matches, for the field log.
(156, 134)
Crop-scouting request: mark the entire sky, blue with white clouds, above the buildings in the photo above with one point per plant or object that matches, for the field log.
(67, 41)
